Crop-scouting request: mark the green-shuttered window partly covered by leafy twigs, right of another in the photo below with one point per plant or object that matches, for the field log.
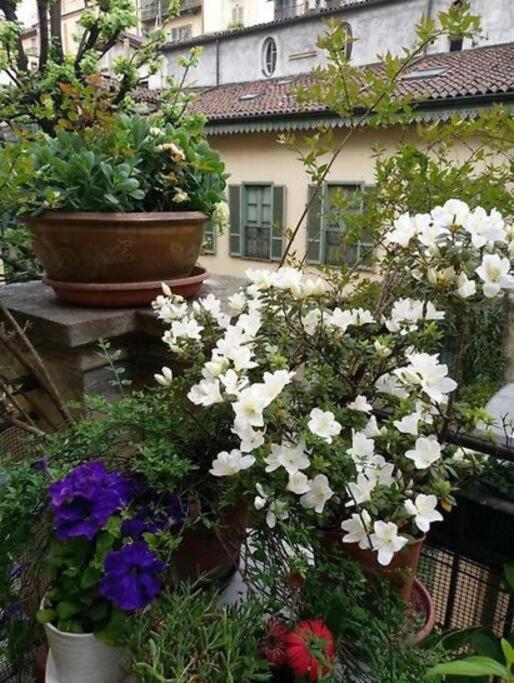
(326, 224)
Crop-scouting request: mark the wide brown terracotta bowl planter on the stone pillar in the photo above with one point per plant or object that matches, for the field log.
(117, 247)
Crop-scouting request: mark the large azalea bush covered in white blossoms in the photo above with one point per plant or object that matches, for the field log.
(327, 401)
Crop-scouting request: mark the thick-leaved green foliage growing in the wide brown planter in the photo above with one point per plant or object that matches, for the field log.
(125, 164)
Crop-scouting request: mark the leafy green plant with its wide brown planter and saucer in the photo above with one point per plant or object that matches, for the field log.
(119, 207)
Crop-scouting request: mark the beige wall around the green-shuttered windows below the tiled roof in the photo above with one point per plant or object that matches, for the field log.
(260, 158)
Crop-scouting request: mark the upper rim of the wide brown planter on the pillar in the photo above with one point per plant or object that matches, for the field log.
(118, 216)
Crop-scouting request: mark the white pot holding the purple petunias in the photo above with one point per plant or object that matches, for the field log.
(81, 658)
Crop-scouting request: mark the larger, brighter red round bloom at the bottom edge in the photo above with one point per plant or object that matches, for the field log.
(310, 649)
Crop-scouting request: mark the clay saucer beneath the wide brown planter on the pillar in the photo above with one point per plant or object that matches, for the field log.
(124, 294)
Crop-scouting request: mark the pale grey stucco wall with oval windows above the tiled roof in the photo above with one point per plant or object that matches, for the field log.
(377, 28)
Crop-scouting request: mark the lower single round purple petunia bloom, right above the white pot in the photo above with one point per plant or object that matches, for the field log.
(131, 576)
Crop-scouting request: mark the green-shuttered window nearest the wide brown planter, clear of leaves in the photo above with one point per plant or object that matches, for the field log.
(256, 220)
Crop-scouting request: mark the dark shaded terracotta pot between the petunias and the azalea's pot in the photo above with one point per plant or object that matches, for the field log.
(211, 553)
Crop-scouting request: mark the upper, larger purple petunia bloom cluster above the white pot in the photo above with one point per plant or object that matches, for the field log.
(83, 501)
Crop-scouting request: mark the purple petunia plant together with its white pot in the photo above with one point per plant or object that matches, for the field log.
(104, 565)
